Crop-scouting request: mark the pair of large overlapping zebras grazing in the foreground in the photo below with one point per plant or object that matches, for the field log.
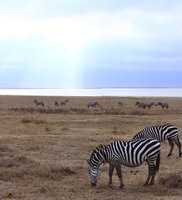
(144, 146)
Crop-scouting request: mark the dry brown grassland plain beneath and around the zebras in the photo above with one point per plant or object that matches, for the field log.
(43, 150)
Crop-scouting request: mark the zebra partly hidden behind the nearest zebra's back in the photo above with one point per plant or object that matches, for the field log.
(161, 133)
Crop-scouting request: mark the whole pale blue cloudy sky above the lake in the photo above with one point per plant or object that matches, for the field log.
(90, 43)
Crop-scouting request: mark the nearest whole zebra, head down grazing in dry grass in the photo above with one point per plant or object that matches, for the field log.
(129, 153)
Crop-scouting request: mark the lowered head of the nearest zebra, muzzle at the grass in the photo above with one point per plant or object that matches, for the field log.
(94, 173)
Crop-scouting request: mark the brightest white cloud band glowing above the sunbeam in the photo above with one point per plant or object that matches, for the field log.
(71, 32)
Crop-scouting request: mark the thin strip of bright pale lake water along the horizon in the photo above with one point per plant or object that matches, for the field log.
(129, 92)
